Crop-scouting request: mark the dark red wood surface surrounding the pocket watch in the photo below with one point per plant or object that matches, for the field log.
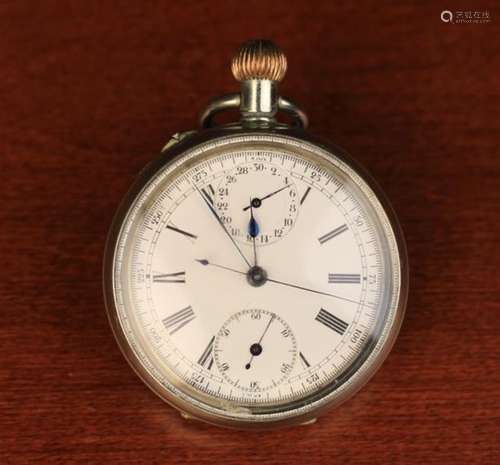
(91, 90)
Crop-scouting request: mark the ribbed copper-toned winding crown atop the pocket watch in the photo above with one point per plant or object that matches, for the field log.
(259, 59)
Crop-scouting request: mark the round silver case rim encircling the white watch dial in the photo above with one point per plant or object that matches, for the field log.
(187, 409)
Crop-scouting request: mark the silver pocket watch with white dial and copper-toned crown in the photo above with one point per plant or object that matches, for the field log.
(255, 275)
